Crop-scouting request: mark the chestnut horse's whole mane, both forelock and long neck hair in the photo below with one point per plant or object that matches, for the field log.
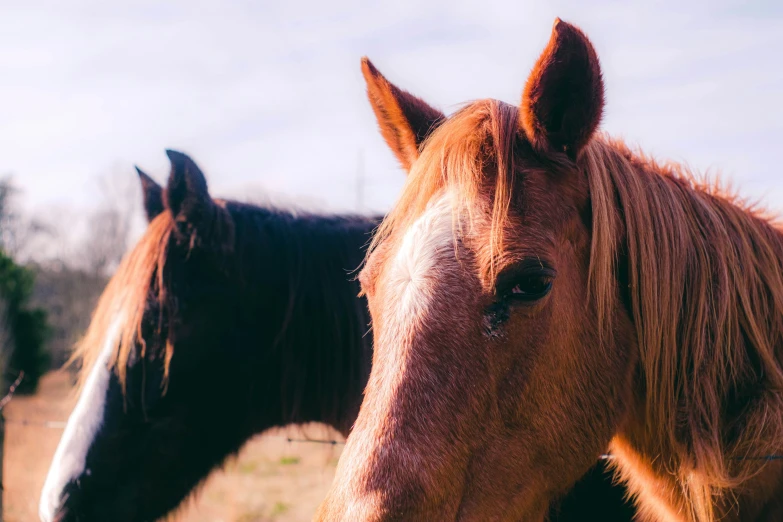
(704, 279)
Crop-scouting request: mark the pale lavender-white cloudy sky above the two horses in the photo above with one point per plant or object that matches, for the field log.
(269, 99)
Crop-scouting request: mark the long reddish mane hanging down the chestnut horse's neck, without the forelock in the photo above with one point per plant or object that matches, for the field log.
(706, 288)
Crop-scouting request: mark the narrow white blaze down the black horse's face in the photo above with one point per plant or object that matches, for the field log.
(83, 424)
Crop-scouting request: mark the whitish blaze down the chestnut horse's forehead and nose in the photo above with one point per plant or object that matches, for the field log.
(410, 285)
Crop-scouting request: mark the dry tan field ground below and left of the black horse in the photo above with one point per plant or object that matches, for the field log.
(271, 480)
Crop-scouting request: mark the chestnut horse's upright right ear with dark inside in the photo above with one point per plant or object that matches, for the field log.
(564, 94)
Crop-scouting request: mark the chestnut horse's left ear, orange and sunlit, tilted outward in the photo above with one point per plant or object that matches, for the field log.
(404, 119)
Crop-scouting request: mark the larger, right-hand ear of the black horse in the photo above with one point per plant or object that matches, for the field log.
(187, 197)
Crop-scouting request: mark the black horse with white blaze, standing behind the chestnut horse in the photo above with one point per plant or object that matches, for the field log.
(225, 320)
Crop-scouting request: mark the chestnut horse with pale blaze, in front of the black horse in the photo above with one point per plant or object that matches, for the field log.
(540, 293)
